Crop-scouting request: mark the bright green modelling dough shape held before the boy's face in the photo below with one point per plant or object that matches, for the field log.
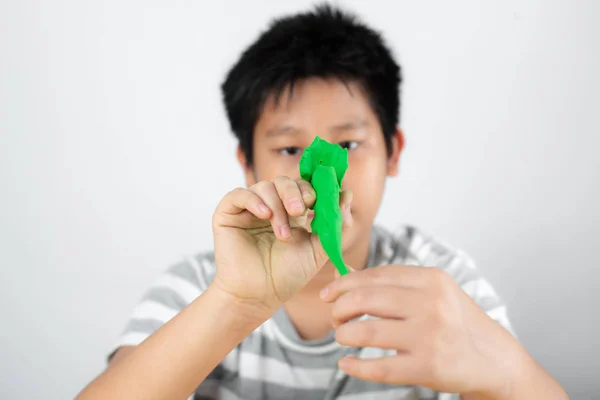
(324, 164)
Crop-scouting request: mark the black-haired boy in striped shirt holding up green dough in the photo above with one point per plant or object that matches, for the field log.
(255, 320)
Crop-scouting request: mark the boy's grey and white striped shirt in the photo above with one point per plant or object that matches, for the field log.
(274, 362)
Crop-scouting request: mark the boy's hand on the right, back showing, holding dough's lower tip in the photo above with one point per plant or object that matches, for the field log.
(444, 341)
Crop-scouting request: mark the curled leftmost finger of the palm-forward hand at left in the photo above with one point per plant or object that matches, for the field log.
(240, 202)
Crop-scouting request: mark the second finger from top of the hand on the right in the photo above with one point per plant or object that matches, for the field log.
(379, 301)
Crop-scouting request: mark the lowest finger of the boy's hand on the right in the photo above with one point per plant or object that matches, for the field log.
(402, 369)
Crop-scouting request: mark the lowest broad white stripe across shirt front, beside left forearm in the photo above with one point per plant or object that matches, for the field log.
(265, 369)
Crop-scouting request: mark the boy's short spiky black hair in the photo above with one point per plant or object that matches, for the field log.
(324, 43)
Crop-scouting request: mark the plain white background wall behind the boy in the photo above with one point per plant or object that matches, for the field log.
(114, 150)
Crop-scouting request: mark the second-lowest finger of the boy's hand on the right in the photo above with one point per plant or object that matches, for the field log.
(380, 333)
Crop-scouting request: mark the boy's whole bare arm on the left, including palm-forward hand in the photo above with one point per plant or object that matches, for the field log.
(259, 250)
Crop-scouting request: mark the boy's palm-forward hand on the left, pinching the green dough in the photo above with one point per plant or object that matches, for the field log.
(263, 251)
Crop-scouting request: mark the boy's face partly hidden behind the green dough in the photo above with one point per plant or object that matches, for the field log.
(338, 113)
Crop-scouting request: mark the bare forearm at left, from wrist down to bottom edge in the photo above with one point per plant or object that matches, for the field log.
(172, 362)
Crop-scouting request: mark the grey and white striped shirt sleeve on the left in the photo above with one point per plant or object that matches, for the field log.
(174, 289)
